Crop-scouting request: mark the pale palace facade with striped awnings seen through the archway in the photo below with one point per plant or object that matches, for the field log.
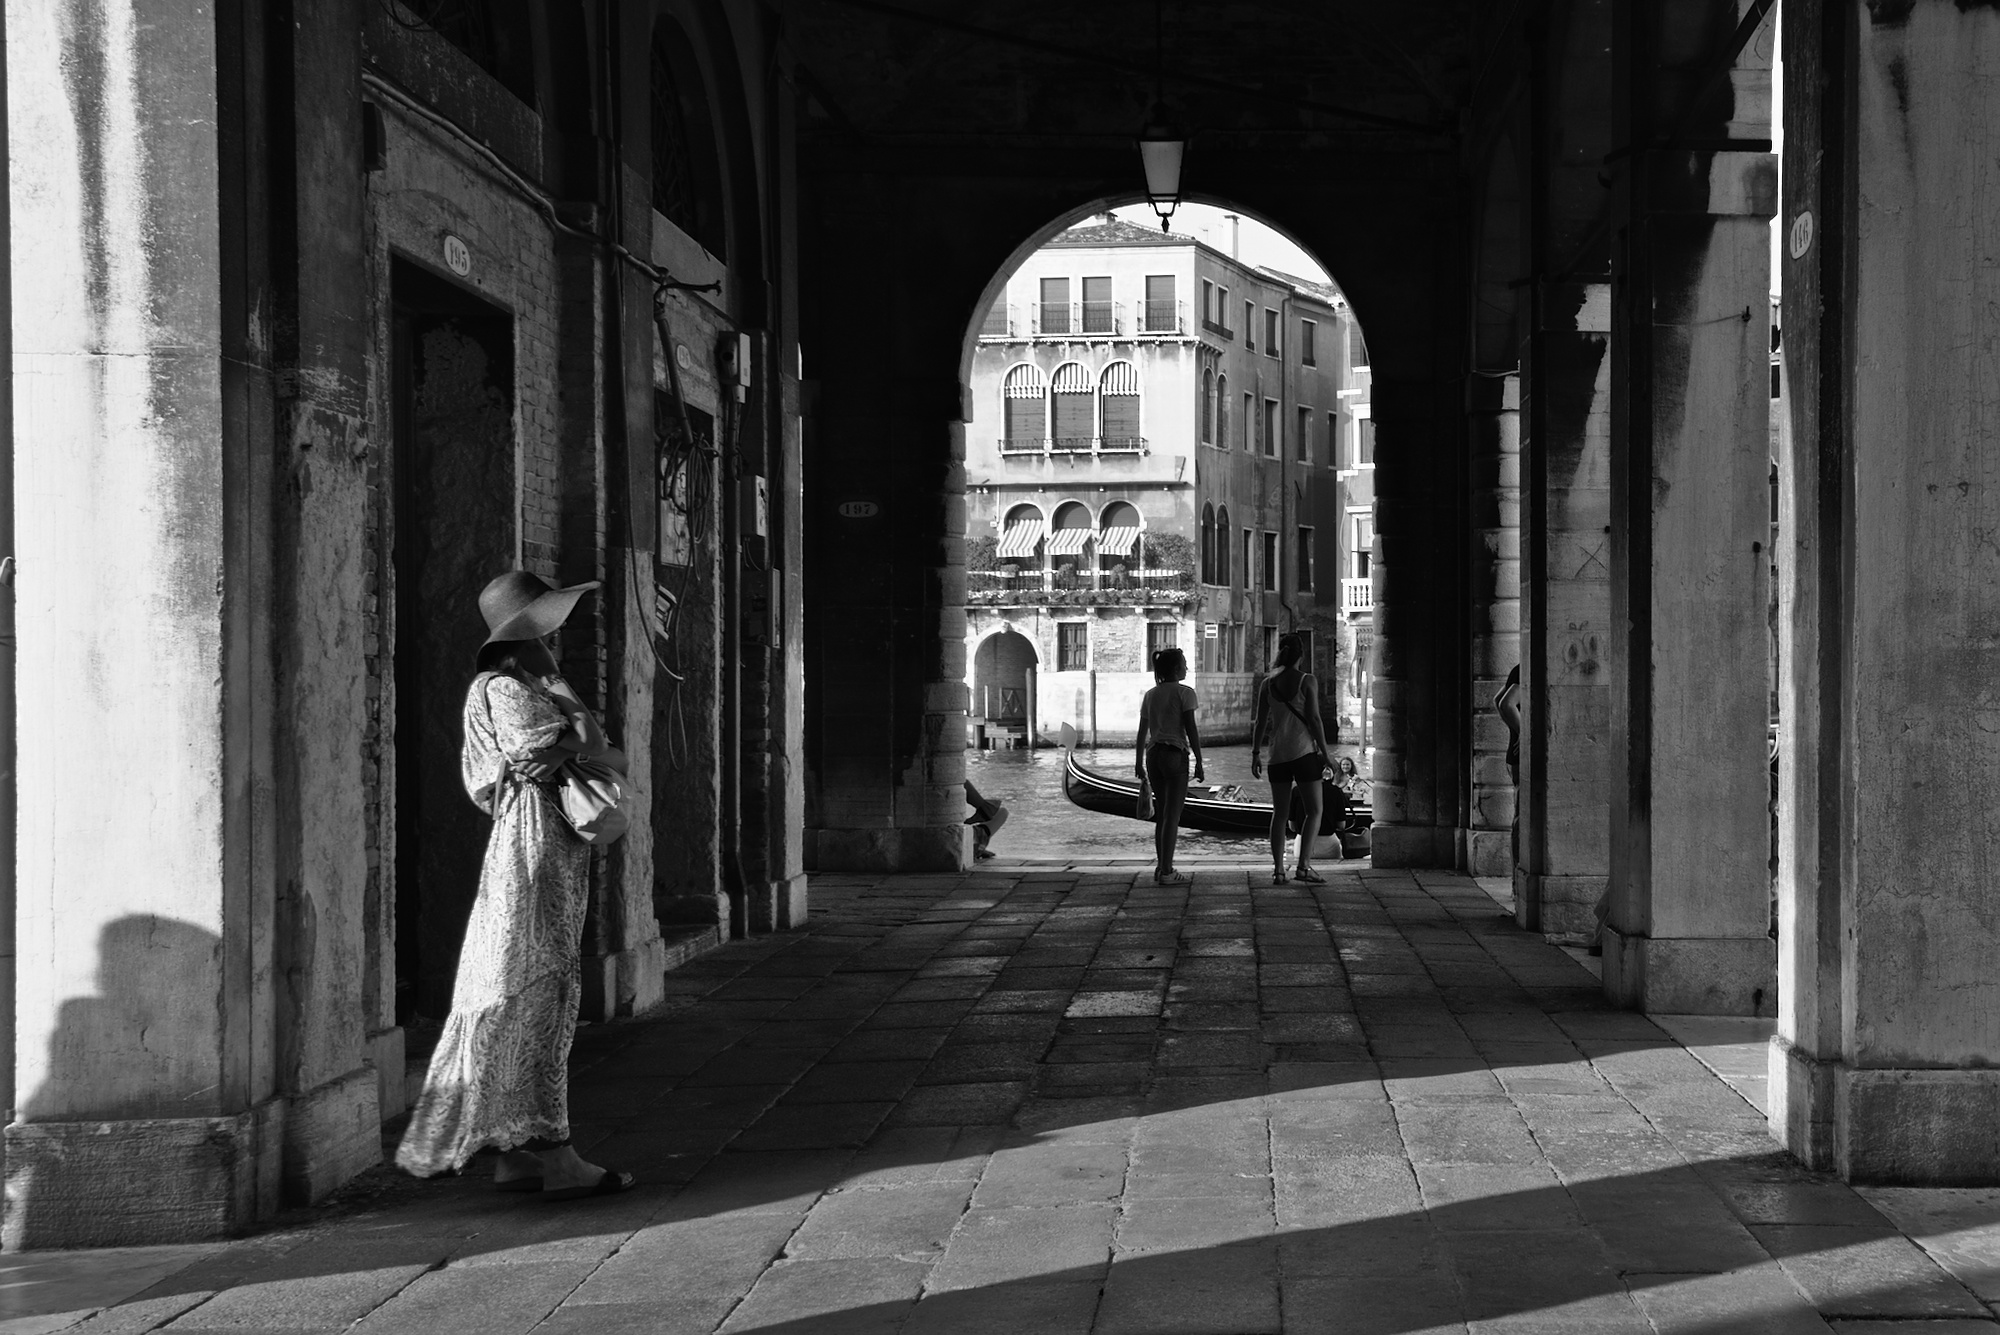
(1165, 447)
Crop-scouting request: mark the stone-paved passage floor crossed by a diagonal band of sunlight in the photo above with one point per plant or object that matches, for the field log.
(1061, 1102)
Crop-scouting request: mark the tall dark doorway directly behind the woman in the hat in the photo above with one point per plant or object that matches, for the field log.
(453, 491)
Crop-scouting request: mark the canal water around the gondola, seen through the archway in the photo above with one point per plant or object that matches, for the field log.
(1043, 824)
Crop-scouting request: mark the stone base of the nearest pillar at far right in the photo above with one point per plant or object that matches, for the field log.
(1895, 1128)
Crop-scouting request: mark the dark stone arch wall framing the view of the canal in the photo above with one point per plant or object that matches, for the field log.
(887, 776)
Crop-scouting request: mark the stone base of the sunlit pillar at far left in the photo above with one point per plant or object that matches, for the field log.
(143, 1182)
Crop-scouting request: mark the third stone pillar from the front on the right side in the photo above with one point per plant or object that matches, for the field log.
(1565, 613)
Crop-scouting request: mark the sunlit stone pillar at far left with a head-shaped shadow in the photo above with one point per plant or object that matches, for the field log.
(147, 1066)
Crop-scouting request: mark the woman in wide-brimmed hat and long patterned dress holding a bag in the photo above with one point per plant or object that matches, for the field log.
(501, 1074)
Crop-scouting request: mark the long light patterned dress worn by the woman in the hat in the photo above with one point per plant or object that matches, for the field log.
(503, 1066)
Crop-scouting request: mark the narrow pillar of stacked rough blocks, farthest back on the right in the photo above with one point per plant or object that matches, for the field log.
(1493, 413)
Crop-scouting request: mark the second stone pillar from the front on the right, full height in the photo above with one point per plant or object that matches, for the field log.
(1691, 465)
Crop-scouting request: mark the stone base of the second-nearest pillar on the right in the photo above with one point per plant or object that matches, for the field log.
(1691, 976)
